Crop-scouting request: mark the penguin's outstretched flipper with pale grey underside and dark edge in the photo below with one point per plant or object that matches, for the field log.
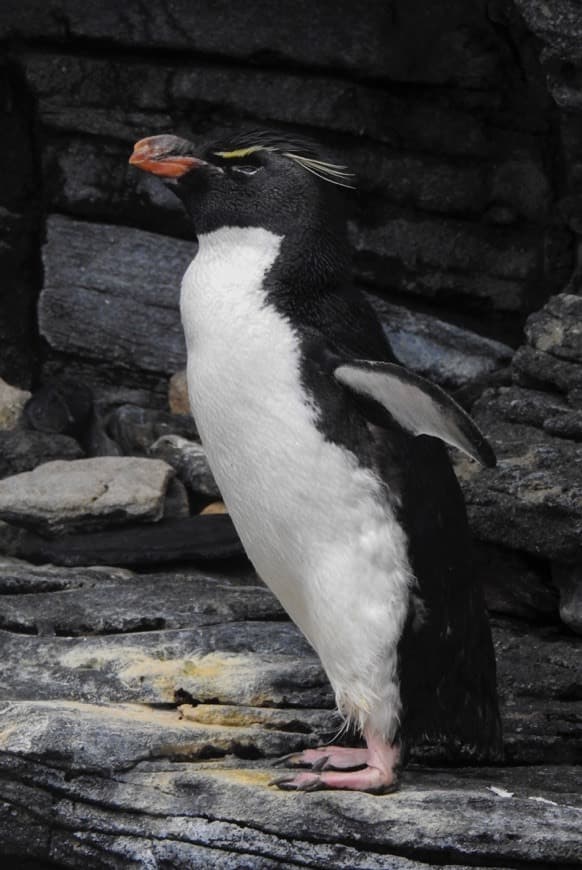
(416, 404)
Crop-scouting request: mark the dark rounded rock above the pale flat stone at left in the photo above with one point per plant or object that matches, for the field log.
(62, 406)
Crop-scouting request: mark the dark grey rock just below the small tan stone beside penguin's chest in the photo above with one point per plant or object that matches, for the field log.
(136, 429)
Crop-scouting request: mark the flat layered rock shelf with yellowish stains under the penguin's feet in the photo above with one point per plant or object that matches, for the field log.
(141, 714)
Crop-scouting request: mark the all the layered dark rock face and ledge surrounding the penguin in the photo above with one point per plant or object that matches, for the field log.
(148, 678)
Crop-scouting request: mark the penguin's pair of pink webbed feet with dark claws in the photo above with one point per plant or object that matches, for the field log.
(377, 773)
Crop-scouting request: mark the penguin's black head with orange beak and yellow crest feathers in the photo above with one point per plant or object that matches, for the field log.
(256, 180)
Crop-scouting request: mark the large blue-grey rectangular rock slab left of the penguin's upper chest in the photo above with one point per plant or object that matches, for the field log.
(111, 293)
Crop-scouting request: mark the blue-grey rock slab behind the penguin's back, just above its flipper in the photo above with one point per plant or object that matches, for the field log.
(440, 351)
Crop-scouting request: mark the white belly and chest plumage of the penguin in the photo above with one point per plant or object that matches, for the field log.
(315, 525)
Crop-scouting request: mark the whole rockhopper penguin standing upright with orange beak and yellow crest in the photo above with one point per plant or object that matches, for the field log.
(331, 457)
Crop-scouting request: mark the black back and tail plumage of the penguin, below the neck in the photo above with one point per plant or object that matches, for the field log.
(446, 659)
